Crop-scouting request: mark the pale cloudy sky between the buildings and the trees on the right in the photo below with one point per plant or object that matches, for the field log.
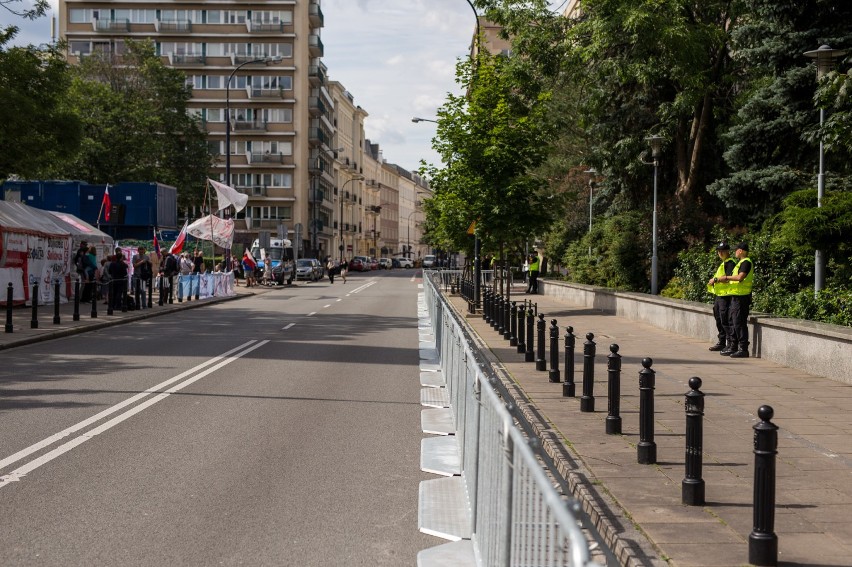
(395, 57)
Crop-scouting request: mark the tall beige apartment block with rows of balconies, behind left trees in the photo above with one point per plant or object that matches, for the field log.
(254, 65)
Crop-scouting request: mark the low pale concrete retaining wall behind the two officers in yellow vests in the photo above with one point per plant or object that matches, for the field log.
(815, 348)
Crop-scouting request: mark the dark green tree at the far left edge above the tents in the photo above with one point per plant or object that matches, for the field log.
(36, 127)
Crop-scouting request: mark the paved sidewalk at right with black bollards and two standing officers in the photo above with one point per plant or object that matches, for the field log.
(814, 462)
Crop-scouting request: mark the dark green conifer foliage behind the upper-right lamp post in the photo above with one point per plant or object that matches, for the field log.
(771, 146)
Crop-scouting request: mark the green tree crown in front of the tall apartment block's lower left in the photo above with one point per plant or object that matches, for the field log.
(136, 124)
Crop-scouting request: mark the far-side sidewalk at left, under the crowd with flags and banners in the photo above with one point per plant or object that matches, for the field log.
(23, 334)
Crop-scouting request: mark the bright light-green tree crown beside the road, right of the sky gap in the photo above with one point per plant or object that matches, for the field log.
(491, 140)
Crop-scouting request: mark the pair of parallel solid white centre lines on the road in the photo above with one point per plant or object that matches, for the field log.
(17, 474)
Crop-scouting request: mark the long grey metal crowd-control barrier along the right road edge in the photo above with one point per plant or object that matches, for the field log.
(517, 516)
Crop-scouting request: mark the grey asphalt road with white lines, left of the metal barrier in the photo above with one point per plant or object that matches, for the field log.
(281, 429)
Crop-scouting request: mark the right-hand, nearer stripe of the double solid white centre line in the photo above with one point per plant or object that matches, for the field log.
(17, 474)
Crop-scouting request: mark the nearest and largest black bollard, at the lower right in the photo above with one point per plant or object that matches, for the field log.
(762, 541)
